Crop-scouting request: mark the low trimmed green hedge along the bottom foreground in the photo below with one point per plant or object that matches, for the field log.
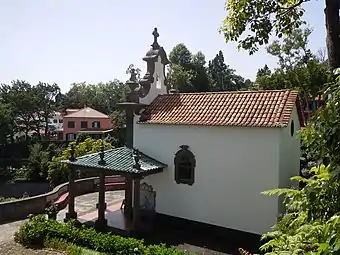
(38, 229)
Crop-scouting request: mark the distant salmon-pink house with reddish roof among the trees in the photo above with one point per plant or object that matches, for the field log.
(87, 121)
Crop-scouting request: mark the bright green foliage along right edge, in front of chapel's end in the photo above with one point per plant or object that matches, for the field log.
(311, 222)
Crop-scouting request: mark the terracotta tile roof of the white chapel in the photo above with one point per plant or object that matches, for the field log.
(271, 108)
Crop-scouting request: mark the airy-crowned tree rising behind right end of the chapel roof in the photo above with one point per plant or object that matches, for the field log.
(298, 69)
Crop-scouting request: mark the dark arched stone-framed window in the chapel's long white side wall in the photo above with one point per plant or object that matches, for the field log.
(185, 164)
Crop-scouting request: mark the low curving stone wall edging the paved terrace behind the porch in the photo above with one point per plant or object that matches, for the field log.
(21, 209)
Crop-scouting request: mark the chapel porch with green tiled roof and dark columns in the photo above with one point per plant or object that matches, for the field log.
(124, 161)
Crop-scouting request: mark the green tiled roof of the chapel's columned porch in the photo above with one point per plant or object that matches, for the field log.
(119, 160)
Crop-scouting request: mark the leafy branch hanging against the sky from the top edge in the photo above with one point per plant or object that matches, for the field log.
(261, 18)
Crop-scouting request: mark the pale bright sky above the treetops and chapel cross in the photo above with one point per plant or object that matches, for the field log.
(68, 41)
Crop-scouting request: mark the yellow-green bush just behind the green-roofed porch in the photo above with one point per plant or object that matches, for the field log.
(58, 171)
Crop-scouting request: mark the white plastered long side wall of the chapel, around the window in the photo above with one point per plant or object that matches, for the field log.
(233, 166)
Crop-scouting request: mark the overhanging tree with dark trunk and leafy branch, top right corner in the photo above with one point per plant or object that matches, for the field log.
(263, 18)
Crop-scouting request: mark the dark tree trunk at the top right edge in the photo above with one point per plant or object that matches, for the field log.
(333, 32)
